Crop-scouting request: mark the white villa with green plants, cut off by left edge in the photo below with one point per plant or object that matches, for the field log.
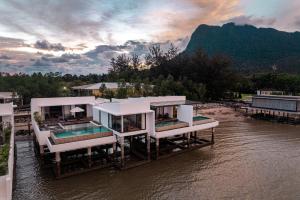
(6, 178)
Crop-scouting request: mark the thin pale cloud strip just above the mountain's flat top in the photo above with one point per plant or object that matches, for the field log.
(256, 21)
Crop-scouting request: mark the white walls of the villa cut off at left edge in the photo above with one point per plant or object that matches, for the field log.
(6, 181)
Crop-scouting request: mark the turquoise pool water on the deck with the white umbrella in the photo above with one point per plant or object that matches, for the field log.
(82, 131)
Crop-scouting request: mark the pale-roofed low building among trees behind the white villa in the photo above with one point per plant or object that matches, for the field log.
(93, 89)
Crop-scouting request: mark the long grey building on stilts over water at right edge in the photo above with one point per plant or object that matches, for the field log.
(280, 107)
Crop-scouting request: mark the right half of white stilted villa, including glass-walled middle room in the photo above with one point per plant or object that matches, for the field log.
(168, 121)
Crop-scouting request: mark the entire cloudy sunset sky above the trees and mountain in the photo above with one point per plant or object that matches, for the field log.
(81, 36)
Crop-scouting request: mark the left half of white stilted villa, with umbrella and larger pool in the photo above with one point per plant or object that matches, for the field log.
(63, 124)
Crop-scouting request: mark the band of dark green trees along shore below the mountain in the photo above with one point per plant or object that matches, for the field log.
(197, 76)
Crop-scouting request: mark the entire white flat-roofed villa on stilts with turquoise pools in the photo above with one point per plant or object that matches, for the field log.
(121, 132)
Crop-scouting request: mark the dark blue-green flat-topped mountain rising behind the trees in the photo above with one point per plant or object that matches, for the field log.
(250, 48)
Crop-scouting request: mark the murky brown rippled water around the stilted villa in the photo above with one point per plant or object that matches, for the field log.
(250, 160)
